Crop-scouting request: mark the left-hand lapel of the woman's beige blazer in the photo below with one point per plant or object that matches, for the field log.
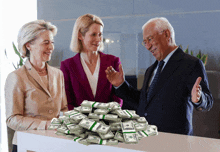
(36, 76)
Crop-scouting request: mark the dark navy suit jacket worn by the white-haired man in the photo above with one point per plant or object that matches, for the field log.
(170, 107)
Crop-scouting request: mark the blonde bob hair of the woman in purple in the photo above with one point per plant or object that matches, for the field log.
(82, 25)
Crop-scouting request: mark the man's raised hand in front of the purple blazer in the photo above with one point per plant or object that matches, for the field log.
(114, 77)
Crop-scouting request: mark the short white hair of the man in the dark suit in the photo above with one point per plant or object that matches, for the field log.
(161, 23)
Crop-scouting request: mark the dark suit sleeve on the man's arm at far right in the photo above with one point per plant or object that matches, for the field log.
(206, 100)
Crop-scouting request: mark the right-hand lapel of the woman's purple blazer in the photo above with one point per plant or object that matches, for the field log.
(102, 75)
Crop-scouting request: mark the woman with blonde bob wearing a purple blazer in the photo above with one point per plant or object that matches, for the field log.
(84, 74)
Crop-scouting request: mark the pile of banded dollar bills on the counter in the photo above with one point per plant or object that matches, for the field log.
(102, 123)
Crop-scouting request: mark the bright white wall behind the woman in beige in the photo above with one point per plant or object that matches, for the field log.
(14, 14)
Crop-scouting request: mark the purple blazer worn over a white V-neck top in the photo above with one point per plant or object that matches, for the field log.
(77, 85)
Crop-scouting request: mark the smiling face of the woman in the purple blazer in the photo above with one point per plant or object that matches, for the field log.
(93, 38)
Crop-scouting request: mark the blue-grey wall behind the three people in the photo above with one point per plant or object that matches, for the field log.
(196, 23)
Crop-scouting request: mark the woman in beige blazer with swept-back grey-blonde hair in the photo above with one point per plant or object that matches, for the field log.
(34, 93)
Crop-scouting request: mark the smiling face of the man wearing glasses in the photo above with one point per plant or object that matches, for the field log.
(156, 41)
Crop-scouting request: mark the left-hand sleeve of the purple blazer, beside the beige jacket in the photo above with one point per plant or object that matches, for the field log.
(68, 87)
